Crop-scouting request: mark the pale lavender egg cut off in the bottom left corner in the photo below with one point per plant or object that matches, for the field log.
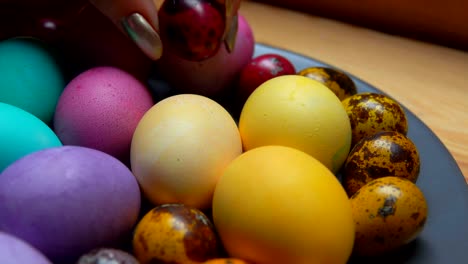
(16, 251)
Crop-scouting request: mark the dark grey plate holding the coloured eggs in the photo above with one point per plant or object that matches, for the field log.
(445, 236)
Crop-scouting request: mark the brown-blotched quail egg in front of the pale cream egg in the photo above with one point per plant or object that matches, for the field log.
(175, 233)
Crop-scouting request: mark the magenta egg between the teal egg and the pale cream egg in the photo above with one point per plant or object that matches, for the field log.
(100, 109)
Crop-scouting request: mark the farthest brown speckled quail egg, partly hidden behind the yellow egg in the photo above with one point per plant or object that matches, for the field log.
(340, 83)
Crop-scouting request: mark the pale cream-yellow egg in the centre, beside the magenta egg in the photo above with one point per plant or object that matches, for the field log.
(180, 148)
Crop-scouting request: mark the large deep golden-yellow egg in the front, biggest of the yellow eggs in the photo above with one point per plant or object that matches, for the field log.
(276, 204)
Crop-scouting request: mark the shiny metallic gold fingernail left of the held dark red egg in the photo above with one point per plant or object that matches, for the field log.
(143, 34)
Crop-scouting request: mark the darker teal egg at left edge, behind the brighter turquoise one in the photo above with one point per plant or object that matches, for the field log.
(30, 76)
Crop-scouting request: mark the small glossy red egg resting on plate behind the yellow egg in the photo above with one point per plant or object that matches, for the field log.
(260, 70)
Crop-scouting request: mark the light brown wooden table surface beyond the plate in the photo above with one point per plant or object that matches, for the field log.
(430, 80)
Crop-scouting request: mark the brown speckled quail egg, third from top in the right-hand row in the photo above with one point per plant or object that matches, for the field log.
(386, 153)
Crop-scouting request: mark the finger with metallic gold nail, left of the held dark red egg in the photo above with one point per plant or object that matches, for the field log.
(138, 19)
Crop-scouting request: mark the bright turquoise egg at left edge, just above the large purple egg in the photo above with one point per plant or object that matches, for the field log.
(22, 133)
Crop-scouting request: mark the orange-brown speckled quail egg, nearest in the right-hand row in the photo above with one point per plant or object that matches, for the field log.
(388, 213)
